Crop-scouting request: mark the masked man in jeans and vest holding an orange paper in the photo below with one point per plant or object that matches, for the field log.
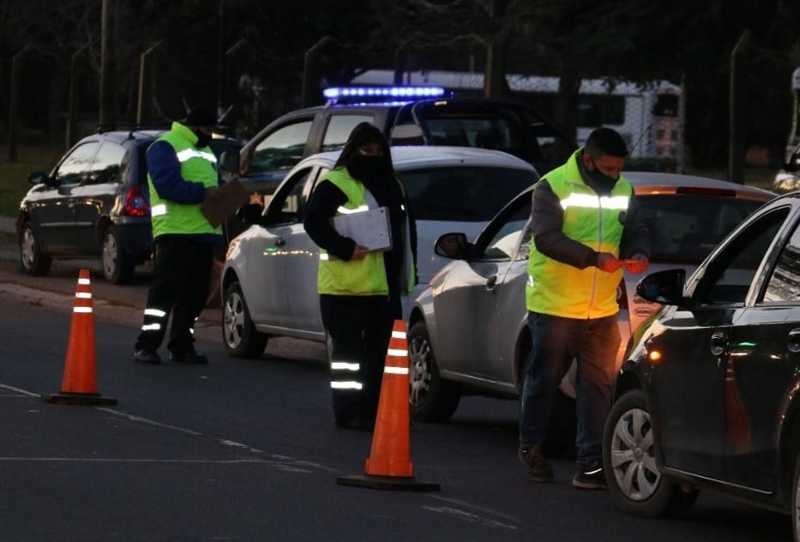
(582, 240)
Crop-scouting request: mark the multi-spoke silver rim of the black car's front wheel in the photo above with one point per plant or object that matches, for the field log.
(633, 456)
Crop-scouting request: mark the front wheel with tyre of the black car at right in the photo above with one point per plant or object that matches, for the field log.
(635, 483)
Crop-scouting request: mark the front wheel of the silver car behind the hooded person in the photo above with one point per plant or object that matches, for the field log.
(239, 334)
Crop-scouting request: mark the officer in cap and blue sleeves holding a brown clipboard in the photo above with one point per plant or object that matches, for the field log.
(182, 171)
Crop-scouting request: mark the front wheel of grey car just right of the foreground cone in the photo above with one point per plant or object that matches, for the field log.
(432, 398)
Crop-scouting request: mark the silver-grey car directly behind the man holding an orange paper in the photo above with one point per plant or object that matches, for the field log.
(467, 331)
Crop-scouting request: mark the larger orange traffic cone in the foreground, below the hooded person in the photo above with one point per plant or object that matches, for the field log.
(389, 463)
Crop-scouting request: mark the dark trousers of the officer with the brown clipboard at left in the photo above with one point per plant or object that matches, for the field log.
(182, 271)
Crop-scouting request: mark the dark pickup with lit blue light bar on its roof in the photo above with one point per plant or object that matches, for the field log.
(407, 116)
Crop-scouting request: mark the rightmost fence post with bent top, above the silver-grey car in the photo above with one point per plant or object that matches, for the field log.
(735, 117)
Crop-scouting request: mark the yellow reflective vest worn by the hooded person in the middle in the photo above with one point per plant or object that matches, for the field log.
(366, 276)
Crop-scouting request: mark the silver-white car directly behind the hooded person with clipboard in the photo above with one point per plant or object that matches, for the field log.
(269, 281)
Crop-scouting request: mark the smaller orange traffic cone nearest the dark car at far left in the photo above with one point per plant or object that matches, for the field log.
(79, 386)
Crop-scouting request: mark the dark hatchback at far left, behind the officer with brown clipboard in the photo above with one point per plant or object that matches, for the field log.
(94, 201)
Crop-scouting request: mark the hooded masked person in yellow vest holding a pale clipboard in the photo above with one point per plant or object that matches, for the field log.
(360, 291)
